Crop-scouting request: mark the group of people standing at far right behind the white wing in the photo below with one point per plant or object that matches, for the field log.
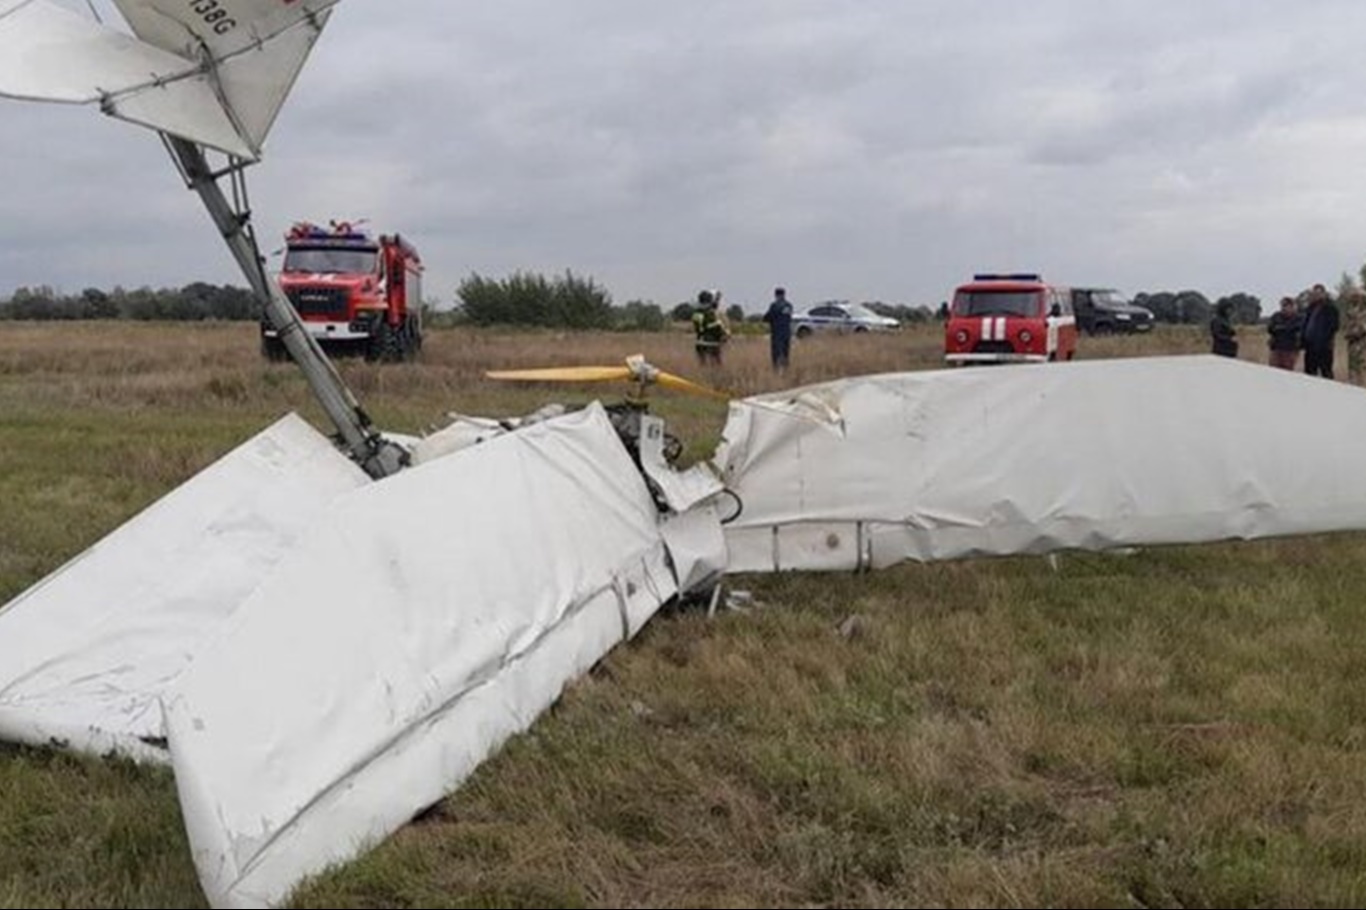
(1312, 330)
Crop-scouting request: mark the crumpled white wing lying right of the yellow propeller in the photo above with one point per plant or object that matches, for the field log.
(874, 471)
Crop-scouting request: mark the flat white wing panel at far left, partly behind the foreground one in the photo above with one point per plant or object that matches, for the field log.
(87, 654)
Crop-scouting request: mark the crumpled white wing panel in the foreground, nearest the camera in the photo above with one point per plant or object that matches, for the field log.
(431, 617)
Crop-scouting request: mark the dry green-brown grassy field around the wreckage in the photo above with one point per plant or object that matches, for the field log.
(1178, 728)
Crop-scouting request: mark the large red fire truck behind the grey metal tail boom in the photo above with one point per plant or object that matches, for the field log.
(352, 292)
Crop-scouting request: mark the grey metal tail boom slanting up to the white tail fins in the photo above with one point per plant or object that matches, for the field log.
(378, 456)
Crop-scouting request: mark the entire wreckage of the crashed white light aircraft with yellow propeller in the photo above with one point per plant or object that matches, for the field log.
(398, 655)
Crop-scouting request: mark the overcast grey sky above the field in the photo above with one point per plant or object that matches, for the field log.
(883, 150)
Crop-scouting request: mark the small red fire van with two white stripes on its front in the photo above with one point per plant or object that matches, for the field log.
(1010, 319)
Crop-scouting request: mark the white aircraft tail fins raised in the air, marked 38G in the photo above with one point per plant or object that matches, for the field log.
(212, 73)
